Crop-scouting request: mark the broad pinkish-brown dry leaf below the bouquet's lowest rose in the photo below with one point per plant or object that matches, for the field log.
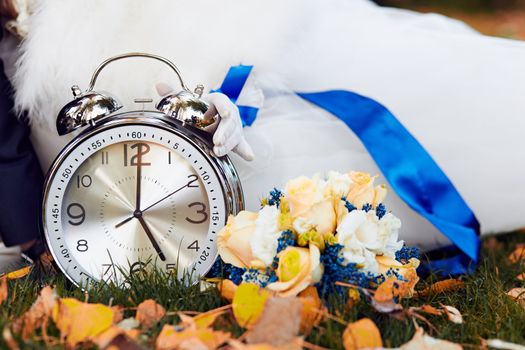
(279, 323)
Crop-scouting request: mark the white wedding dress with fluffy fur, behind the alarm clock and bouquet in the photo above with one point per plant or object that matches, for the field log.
(459, 93)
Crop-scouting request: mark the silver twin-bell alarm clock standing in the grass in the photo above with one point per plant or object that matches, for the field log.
(137, 189)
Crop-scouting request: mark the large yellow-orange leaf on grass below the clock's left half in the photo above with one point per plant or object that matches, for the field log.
(78, 321)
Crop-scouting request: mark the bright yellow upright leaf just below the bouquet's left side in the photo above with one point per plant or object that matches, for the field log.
(248, 304)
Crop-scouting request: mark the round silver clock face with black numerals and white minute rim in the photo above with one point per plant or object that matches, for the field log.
(131, 197)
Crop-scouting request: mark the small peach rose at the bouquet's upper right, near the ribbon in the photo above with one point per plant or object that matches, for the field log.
(362, 190)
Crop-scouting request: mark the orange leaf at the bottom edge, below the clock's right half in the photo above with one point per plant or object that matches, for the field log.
(171, 338)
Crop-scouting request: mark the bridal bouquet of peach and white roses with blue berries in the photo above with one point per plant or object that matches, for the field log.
(317, 232)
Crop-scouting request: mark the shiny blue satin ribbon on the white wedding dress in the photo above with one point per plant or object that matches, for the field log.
(410, 170)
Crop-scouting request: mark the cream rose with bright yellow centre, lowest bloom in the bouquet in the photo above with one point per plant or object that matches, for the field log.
(298, 268)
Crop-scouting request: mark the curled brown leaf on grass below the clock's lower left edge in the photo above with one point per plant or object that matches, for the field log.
(37, 315)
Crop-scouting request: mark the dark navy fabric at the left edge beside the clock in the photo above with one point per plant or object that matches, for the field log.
(21, 178)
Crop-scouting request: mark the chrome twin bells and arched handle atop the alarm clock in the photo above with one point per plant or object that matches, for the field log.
(91, 106)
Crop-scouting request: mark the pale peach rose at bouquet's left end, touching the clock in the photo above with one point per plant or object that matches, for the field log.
(234, 239)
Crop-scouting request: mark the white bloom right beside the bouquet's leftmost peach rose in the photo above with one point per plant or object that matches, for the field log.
(264, 238)
